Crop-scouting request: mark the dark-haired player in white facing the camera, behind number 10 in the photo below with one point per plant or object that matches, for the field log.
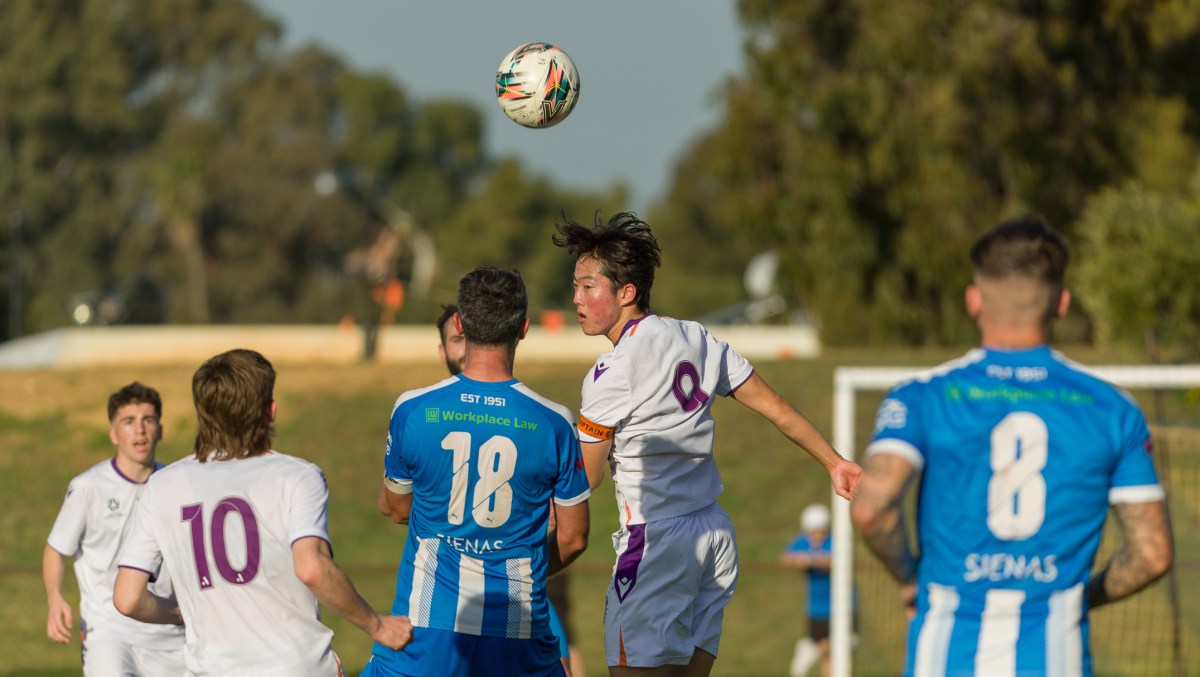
(91, 528)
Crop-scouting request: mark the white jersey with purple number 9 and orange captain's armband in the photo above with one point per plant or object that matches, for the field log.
(652, 396)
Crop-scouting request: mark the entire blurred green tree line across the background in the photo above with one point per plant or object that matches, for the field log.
(172, 160)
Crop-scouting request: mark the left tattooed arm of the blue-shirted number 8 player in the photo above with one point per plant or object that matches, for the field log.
(879, 514)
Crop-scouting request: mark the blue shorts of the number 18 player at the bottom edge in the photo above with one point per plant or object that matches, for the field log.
(455, 655)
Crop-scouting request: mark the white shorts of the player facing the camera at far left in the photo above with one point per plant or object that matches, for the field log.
(112, 651)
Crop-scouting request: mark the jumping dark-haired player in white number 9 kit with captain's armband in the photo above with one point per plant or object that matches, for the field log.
(647, 415)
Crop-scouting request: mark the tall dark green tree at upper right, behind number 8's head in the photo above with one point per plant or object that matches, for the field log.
(877, 141)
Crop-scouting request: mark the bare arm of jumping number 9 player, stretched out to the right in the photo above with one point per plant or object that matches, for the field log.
(757, 394)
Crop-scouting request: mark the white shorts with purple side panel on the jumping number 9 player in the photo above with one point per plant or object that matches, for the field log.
(670, 588)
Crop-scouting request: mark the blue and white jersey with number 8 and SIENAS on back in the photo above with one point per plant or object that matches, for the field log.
(1021, 454)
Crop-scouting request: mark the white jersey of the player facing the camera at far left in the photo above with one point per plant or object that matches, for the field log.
(92, 525)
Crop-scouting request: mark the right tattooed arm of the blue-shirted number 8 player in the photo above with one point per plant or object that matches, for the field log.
(1147, 555)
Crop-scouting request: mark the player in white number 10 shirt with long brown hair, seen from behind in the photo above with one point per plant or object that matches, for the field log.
(243, 531)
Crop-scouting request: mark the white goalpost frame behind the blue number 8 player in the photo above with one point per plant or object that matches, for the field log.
(850, 382)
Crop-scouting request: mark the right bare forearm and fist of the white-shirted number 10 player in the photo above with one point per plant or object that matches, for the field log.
(315, 567)
